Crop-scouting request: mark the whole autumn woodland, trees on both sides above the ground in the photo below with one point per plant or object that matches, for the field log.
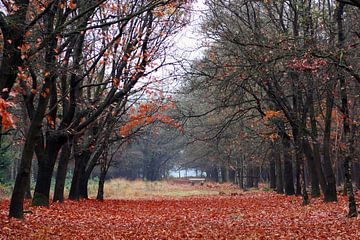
(99, 89)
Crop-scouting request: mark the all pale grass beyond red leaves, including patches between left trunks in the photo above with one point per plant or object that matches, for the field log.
(139, 189)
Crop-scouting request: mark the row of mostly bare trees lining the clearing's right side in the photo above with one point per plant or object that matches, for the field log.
(276, 96)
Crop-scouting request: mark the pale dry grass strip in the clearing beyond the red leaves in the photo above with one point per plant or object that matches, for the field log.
(123, 189)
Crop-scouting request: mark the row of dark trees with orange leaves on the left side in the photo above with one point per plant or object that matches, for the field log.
(72, 73)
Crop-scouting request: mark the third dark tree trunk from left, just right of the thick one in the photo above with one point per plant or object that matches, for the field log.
(61, 172)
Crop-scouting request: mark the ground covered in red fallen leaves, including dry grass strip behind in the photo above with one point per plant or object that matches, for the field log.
(181, 211)
